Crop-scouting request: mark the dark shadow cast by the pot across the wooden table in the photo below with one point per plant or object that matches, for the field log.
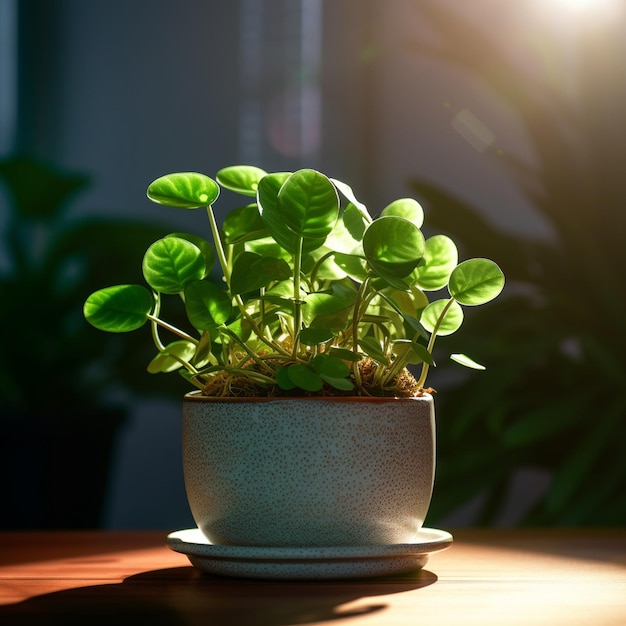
(183, 595)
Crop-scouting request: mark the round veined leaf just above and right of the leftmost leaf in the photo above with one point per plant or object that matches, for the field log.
(171, 263)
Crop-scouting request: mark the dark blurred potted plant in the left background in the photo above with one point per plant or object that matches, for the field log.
(58, 415)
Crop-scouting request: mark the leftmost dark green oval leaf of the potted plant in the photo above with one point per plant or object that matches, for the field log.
(118, 309)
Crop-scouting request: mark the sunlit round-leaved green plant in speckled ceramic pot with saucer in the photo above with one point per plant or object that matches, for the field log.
(307, 430)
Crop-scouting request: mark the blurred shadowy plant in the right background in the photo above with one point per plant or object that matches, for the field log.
(550, 405)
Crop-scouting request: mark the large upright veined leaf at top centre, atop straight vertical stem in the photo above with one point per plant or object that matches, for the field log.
(309, 205)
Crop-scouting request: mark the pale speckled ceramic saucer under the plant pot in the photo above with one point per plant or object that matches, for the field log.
(308, 563)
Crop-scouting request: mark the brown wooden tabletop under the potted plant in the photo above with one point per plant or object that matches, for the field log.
(498, 577)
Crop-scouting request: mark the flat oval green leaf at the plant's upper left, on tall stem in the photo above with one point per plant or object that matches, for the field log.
(185, 190)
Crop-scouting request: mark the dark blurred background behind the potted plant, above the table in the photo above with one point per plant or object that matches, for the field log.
(506, 121)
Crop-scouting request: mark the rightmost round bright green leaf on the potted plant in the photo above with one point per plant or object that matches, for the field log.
(476, 281)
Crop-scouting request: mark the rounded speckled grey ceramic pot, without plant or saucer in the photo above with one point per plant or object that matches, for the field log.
(309, 472)
